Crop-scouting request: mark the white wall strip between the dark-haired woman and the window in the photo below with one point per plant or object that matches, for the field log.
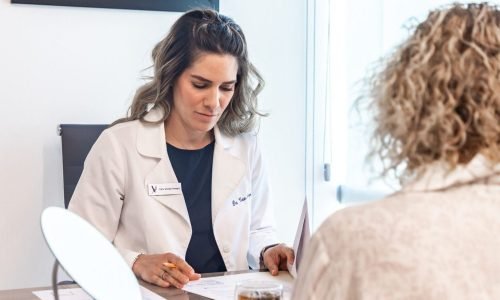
(276, 34)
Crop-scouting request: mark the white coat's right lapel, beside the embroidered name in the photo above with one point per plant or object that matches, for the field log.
(227, 172)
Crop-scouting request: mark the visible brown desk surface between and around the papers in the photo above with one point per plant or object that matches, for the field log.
(170, 293)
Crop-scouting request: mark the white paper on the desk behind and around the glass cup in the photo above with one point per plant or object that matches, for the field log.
(222, 287)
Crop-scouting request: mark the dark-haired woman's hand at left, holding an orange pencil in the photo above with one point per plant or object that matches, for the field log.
(152, 268)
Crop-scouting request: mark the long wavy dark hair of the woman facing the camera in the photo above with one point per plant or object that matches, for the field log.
(194, 33)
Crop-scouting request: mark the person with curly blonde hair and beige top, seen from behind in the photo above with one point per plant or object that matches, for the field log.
(436, 105)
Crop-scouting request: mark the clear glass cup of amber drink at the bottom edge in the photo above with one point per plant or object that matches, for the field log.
(258, 290)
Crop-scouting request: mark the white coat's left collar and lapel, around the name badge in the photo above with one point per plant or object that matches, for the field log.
(151, 142)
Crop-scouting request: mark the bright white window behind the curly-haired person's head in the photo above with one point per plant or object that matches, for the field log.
(346, 40)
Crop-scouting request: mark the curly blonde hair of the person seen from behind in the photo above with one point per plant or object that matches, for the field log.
(438, 97)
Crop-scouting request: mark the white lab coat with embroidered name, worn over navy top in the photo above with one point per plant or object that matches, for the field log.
(113, 195)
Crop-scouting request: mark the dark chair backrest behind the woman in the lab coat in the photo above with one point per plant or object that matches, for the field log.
(77, 139)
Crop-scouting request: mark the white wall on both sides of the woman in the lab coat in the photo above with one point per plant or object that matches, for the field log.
(82, 65)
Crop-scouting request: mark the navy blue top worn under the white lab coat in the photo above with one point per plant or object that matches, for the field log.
(193, 169)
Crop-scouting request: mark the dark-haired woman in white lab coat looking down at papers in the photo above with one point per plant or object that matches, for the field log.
(179, 185)
